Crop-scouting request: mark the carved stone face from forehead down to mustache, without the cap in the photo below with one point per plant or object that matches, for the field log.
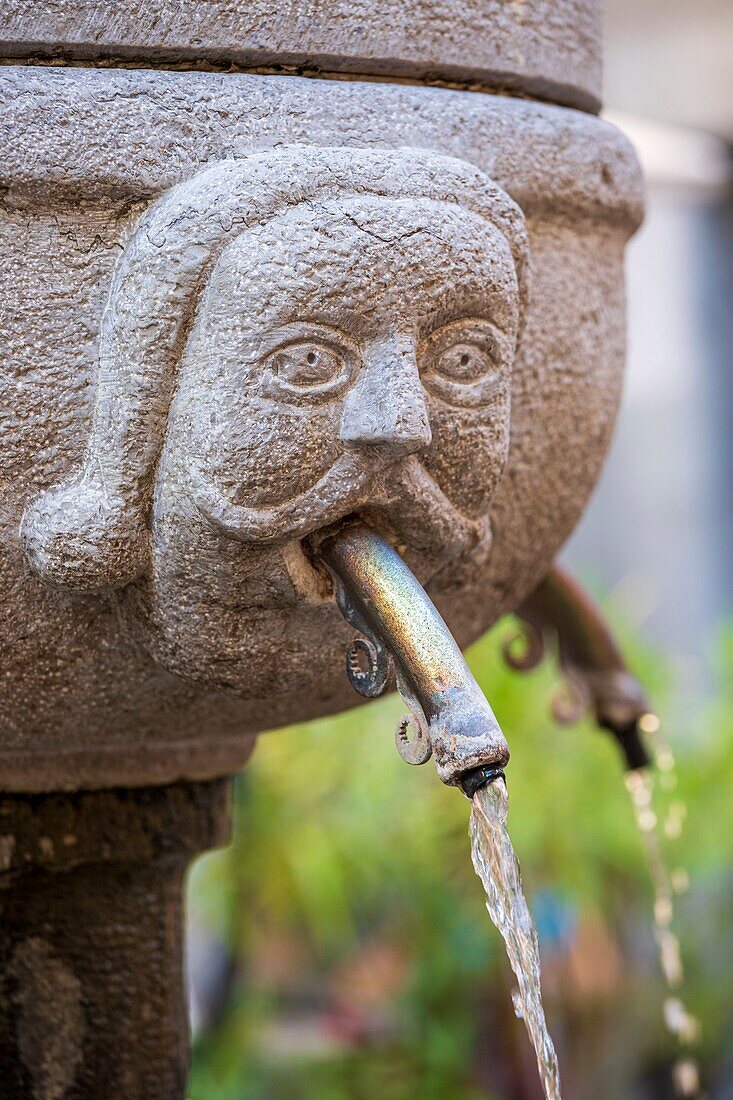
(334, 344)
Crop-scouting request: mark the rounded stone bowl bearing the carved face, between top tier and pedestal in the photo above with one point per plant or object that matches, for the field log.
(216, 636)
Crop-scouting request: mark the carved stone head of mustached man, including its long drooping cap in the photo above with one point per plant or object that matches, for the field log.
(291, 338)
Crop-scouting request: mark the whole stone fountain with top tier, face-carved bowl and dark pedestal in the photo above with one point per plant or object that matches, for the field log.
(265, 271)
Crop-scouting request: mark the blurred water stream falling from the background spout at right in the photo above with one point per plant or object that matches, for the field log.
(679, 1021)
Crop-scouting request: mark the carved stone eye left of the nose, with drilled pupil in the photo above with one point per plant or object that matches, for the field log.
(310, 370)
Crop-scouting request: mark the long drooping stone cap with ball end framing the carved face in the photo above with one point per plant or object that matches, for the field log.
(93, 532)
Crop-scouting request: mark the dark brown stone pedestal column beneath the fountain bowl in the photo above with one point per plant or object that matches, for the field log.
(92, 995)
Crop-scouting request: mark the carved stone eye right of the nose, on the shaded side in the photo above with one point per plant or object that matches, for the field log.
(461, 364)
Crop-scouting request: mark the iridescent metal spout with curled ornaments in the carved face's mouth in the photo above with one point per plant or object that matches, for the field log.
(403, 632)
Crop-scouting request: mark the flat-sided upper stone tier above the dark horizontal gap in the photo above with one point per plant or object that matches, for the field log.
(549, 49)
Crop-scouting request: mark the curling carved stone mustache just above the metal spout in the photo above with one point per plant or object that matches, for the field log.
(402, 491)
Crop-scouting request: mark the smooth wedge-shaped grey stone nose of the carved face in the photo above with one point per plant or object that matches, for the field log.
(387, 408)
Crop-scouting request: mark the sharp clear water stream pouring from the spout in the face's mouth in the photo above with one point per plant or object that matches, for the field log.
(498, 868)
